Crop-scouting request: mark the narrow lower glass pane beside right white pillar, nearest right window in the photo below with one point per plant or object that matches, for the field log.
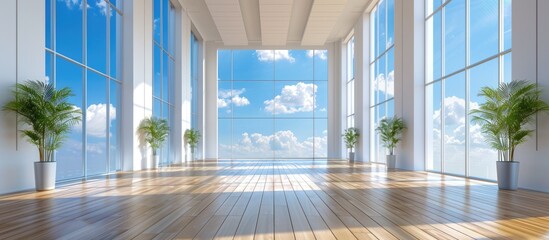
(434, 127)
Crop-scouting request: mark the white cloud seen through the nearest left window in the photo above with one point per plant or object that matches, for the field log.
(96, 119)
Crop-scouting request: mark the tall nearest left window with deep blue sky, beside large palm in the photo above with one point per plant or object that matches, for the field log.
(83, 54)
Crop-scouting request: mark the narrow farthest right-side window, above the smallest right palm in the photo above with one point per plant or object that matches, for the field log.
(350, 83)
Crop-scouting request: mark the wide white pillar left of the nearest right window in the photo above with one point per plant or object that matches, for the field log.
(410, 81)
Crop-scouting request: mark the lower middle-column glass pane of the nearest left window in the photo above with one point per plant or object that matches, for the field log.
(97, 116)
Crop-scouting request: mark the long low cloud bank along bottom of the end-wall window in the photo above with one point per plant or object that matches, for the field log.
(284, 144)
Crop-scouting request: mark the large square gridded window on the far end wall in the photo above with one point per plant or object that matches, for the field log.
(272, 104)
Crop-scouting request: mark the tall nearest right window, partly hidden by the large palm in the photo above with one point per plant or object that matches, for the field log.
(468, 46)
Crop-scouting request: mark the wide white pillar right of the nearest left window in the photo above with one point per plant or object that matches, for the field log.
(137, 81)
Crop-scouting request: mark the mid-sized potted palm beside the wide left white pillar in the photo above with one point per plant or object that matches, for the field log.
(155, 131)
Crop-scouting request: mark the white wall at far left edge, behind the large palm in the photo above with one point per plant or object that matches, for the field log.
(22, 50)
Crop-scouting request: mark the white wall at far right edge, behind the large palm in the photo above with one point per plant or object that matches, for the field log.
(530, 61)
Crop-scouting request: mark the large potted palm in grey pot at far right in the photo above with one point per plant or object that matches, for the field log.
(505, 116)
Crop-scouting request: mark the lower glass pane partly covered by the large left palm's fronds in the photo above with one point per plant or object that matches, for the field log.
(69, 156)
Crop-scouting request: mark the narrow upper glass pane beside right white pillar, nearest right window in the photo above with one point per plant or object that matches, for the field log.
(434, 48)
